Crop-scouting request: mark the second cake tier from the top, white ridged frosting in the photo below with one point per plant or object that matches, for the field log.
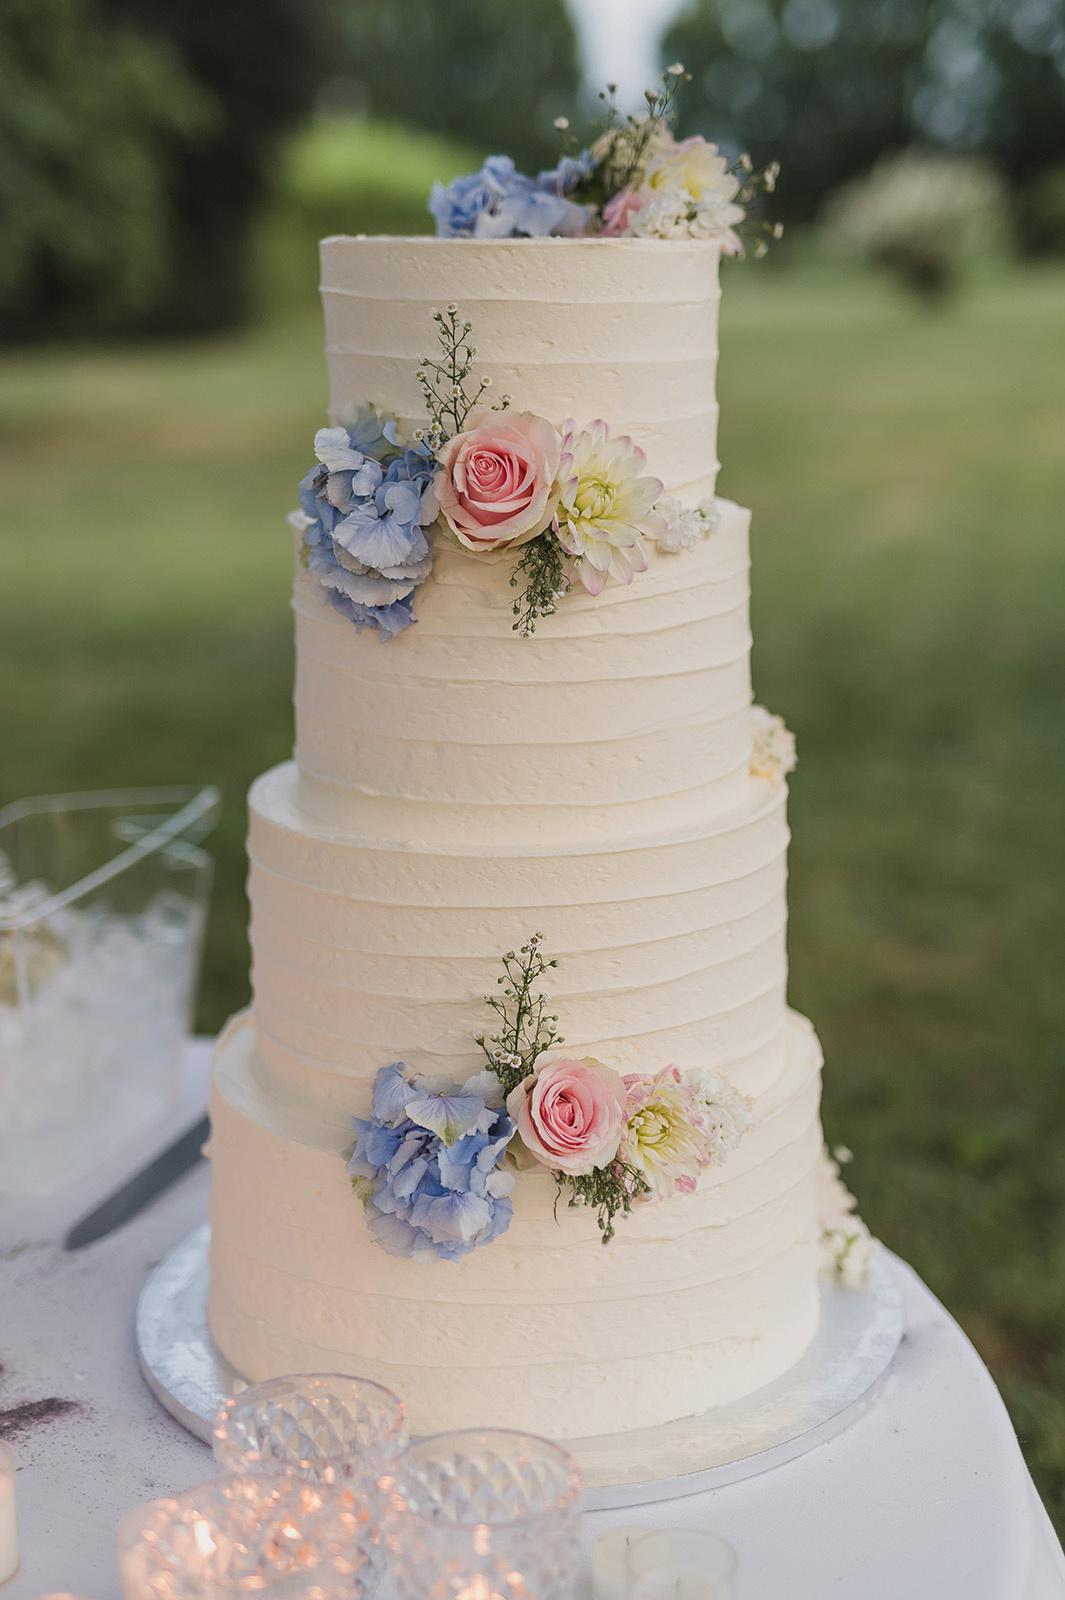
(631, 714)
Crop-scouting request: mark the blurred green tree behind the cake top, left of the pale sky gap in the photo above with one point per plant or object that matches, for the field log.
(489, 73)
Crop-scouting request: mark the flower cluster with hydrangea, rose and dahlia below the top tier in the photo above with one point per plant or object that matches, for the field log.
(575, 503)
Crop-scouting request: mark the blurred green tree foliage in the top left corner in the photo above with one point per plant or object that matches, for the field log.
(89, 124)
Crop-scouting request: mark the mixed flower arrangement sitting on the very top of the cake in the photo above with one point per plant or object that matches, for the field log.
(631, 178)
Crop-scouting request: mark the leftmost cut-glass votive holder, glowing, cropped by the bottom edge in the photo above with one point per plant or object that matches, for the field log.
(273, 1538)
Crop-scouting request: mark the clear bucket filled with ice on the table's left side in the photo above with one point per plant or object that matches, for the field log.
(103, 906)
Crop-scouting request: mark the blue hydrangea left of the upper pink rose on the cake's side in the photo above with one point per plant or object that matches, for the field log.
(364, 513)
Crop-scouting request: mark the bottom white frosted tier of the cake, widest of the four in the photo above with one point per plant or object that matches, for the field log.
(698, 1302)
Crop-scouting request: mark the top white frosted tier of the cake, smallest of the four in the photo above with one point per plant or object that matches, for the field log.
(621, 329)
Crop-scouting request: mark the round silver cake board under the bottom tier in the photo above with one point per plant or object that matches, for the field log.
(813, 1402)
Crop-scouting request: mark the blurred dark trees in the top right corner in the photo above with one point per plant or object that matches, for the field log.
(831, 86)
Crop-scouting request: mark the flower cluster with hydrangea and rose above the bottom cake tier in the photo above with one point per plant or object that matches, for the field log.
(436, 1164)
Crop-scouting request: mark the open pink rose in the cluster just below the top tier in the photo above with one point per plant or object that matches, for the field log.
(497, 482)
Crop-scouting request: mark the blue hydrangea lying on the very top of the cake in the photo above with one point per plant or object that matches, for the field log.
(500, 202)
